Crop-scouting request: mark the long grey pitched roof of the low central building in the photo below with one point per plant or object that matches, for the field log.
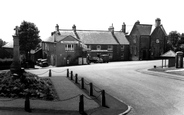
(97, 36)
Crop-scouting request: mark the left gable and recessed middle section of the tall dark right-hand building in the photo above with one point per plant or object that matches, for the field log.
(139, 39)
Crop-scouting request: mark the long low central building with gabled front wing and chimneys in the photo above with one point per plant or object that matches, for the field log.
(68, 45)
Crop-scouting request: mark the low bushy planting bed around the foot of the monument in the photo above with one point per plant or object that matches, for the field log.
(18, 87)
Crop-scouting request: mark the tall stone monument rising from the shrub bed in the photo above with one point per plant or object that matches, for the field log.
(16, 66)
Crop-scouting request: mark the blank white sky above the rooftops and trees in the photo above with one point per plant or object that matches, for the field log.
(88, 14)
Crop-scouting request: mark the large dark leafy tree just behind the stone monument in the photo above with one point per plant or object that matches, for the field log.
(28, 37)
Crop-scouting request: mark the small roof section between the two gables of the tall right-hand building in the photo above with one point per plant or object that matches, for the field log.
(144, 29)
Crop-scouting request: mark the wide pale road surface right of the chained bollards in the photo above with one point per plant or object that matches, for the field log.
(147, 94)
